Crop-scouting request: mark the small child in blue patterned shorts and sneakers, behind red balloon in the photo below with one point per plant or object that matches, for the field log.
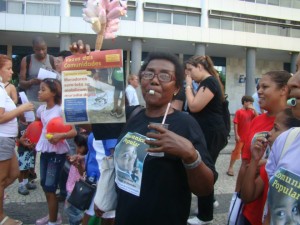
(26, 158)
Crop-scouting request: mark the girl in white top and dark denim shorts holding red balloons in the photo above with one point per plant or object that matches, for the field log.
(53, 150)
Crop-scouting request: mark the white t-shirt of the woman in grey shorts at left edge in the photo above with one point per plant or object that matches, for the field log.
(10, 128)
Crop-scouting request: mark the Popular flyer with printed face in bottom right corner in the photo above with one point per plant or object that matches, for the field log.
(284, 197)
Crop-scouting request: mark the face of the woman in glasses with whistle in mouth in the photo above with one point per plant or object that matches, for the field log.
(162, 91)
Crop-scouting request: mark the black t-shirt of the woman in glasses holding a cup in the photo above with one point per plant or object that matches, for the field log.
(165, 196)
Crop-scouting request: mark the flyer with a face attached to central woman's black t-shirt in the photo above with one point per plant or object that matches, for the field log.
(130, 154)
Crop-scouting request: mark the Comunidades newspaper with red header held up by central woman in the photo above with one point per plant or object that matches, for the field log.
(89, 84)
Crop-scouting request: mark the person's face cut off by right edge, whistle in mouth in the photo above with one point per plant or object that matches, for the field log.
(294, 86)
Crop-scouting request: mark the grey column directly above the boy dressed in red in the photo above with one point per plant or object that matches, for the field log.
(250, 71)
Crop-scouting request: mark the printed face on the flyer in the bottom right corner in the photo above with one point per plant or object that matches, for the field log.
(285, 212)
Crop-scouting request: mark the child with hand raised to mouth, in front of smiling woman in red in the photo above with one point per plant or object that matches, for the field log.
(254, 186)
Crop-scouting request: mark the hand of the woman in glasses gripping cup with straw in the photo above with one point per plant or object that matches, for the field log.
(171, 143)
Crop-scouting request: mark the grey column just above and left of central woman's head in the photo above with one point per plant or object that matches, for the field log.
(136, 55)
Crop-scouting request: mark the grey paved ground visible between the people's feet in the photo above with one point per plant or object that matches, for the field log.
(29, 208)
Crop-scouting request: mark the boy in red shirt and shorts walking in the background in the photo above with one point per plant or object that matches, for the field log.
(242, 121)
